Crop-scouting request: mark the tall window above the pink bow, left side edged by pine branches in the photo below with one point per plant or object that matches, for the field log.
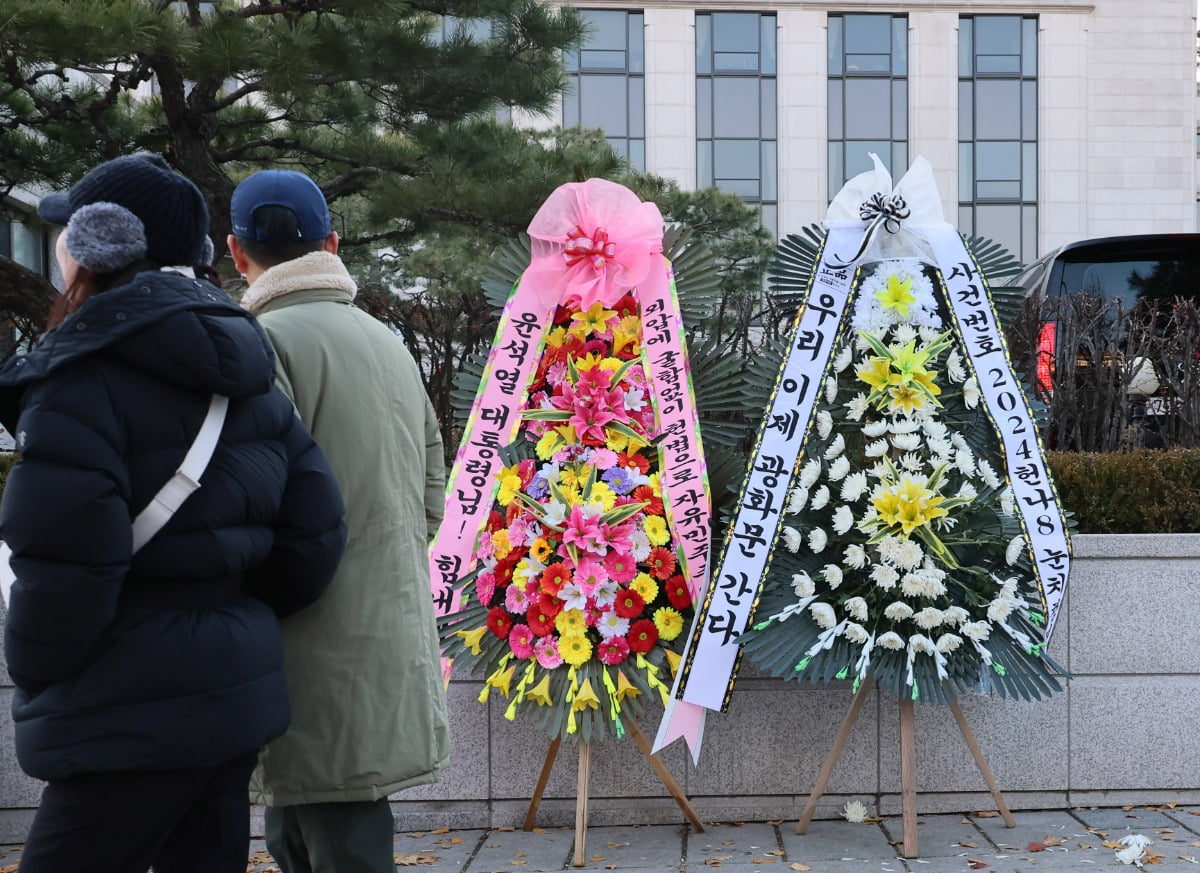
(607, 82)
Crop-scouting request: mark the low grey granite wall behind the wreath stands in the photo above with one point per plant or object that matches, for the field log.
(1126, 731)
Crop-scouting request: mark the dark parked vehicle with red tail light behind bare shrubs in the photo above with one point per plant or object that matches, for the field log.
(1118, 314)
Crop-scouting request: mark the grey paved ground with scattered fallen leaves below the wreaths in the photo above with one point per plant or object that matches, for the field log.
(1042, 842)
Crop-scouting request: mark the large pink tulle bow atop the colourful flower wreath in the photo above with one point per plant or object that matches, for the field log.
(592, 243)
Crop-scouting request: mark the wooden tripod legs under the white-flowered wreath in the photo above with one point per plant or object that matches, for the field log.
(908, 766)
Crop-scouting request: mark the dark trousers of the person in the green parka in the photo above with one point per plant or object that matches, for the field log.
(356, 838)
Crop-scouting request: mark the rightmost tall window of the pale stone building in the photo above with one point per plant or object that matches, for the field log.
(999, 131)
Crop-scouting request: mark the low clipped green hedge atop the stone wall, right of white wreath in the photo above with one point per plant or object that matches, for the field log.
(1141, 492)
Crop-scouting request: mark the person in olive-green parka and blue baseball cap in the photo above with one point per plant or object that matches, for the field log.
(363, 665)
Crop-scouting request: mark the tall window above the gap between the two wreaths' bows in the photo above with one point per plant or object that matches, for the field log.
(736, 125)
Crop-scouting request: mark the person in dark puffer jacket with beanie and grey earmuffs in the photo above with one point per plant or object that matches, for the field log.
(147, 682)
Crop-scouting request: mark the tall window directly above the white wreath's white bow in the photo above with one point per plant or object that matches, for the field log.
(868, 95)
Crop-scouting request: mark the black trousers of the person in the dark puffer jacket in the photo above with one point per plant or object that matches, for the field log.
(178, 821)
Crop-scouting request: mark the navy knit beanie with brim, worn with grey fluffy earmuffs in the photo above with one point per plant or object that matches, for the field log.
(171, 208)
